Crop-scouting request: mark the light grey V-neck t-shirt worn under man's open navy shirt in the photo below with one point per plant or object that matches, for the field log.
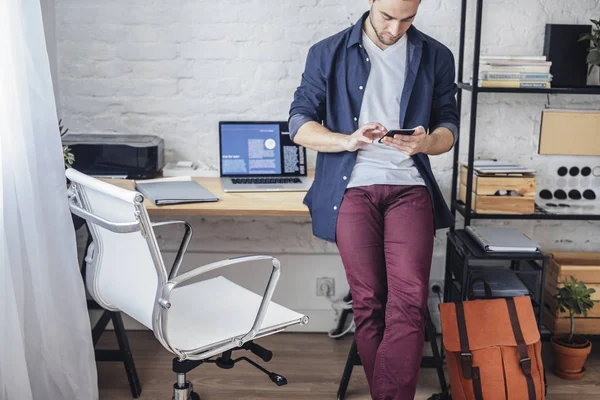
(376, 163)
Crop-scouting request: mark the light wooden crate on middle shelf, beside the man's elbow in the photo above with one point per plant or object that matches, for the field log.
(485, 186)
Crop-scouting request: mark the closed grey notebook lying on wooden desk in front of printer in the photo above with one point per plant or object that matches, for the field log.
(174, 191)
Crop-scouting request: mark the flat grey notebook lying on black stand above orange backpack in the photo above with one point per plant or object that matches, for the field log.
(501, 239)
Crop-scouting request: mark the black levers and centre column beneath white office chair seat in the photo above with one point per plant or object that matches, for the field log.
(183, 389)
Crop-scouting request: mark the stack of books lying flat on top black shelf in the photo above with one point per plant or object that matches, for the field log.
(514, 72)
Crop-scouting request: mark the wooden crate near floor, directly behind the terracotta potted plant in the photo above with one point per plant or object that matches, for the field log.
(584, 266)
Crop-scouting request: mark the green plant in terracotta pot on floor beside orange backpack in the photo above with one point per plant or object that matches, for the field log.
(572, 350)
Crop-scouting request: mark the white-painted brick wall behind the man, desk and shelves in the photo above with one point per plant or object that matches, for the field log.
(175, 68)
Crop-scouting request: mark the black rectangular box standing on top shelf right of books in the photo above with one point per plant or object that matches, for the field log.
(568, 55)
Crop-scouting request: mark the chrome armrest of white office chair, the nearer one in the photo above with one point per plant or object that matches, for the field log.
(164, 301)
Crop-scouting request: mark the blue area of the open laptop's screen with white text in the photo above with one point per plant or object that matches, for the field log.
(252, 149)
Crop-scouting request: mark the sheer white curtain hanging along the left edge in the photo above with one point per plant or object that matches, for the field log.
(45, 340)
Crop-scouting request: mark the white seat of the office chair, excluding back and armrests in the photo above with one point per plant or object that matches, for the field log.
(229, 312)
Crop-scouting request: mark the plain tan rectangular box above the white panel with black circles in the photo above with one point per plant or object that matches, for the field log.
(570, 132)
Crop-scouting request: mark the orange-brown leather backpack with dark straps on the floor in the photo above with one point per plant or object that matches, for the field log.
(493, 349)
